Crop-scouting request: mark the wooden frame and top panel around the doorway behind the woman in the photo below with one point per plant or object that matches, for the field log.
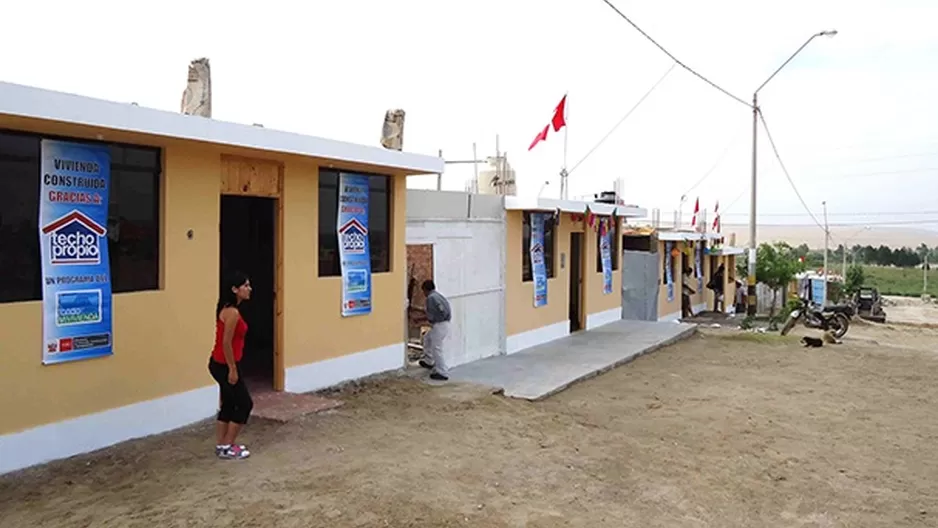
(275, 193)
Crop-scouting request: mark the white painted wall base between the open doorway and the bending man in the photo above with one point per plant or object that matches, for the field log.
(331, 372)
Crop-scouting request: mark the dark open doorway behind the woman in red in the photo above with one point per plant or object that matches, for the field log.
(246, 239)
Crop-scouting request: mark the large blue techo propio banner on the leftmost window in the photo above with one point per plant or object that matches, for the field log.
(76, 272)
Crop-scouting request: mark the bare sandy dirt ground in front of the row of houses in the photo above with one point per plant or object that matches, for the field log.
(723, 430)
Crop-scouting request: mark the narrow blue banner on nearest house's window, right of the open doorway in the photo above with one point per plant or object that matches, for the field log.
(354, 249)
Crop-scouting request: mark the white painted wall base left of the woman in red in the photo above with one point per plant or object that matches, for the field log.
(99, 430)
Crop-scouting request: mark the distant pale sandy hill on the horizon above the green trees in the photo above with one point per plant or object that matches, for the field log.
(814, 237)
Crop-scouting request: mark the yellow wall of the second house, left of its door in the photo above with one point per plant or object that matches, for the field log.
(521, 314)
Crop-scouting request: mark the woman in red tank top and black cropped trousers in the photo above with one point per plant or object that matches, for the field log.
(224, 365)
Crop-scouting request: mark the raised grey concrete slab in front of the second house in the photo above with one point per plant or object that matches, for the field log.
(544, 370)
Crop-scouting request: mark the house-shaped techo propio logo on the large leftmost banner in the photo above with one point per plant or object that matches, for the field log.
(74, 239)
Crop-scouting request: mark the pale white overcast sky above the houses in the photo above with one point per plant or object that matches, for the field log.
(853, 116)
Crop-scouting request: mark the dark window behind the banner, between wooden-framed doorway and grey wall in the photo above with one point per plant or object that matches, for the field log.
(379, 222)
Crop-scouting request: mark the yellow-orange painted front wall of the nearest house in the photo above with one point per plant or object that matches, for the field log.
(162, 339)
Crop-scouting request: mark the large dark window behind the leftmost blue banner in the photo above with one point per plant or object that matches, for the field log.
(133, 217)
